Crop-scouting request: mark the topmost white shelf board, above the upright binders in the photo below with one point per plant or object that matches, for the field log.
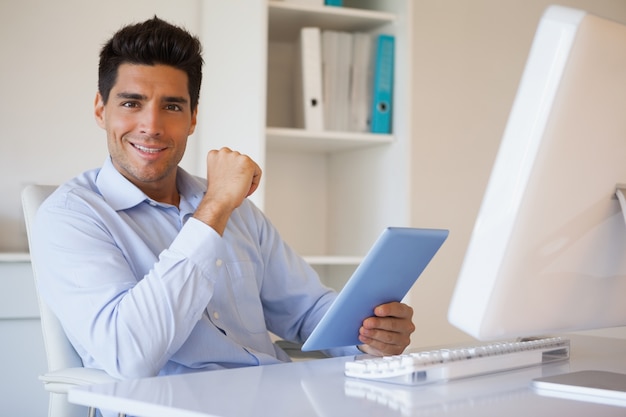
(286, 19)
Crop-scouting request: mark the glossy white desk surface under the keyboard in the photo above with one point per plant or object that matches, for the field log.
(319, 388)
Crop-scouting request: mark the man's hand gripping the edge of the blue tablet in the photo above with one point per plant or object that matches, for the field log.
(388, 332)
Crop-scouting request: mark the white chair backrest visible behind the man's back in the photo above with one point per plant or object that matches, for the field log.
(60, 353)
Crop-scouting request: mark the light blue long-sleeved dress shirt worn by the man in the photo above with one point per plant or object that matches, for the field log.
(143, 288)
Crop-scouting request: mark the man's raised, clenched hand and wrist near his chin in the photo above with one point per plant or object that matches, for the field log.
(231, 177)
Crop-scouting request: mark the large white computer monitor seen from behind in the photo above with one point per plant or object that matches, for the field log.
(548, 250)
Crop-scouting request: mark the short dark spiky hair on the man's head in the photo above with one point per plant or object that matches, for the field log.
(152, 42)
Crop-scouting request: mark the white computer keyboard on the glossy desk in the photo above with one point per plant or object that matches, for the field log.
(425, 367)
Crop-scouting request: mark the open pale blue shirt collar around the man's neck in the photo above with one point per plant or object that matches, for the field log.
(122, 194)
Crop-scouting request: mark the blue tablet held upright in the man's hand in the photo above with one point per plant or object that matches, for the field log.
(389, 269)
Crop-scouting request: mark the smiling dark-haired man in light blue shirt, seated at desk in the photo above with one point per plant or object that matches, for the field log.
(152, 271)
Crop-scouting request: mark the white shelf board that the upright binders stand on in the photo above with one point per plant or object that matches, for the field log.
(322, 141)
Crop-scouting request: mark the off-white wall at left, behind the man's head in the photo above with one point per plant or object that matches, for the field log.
(48, 82)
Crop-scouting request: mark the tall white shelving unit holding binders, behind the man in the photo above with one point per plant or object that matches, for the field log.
(329, 193)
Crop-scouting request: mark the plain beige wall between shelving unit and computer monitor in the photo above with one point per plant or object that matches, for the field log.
(468, 59)
